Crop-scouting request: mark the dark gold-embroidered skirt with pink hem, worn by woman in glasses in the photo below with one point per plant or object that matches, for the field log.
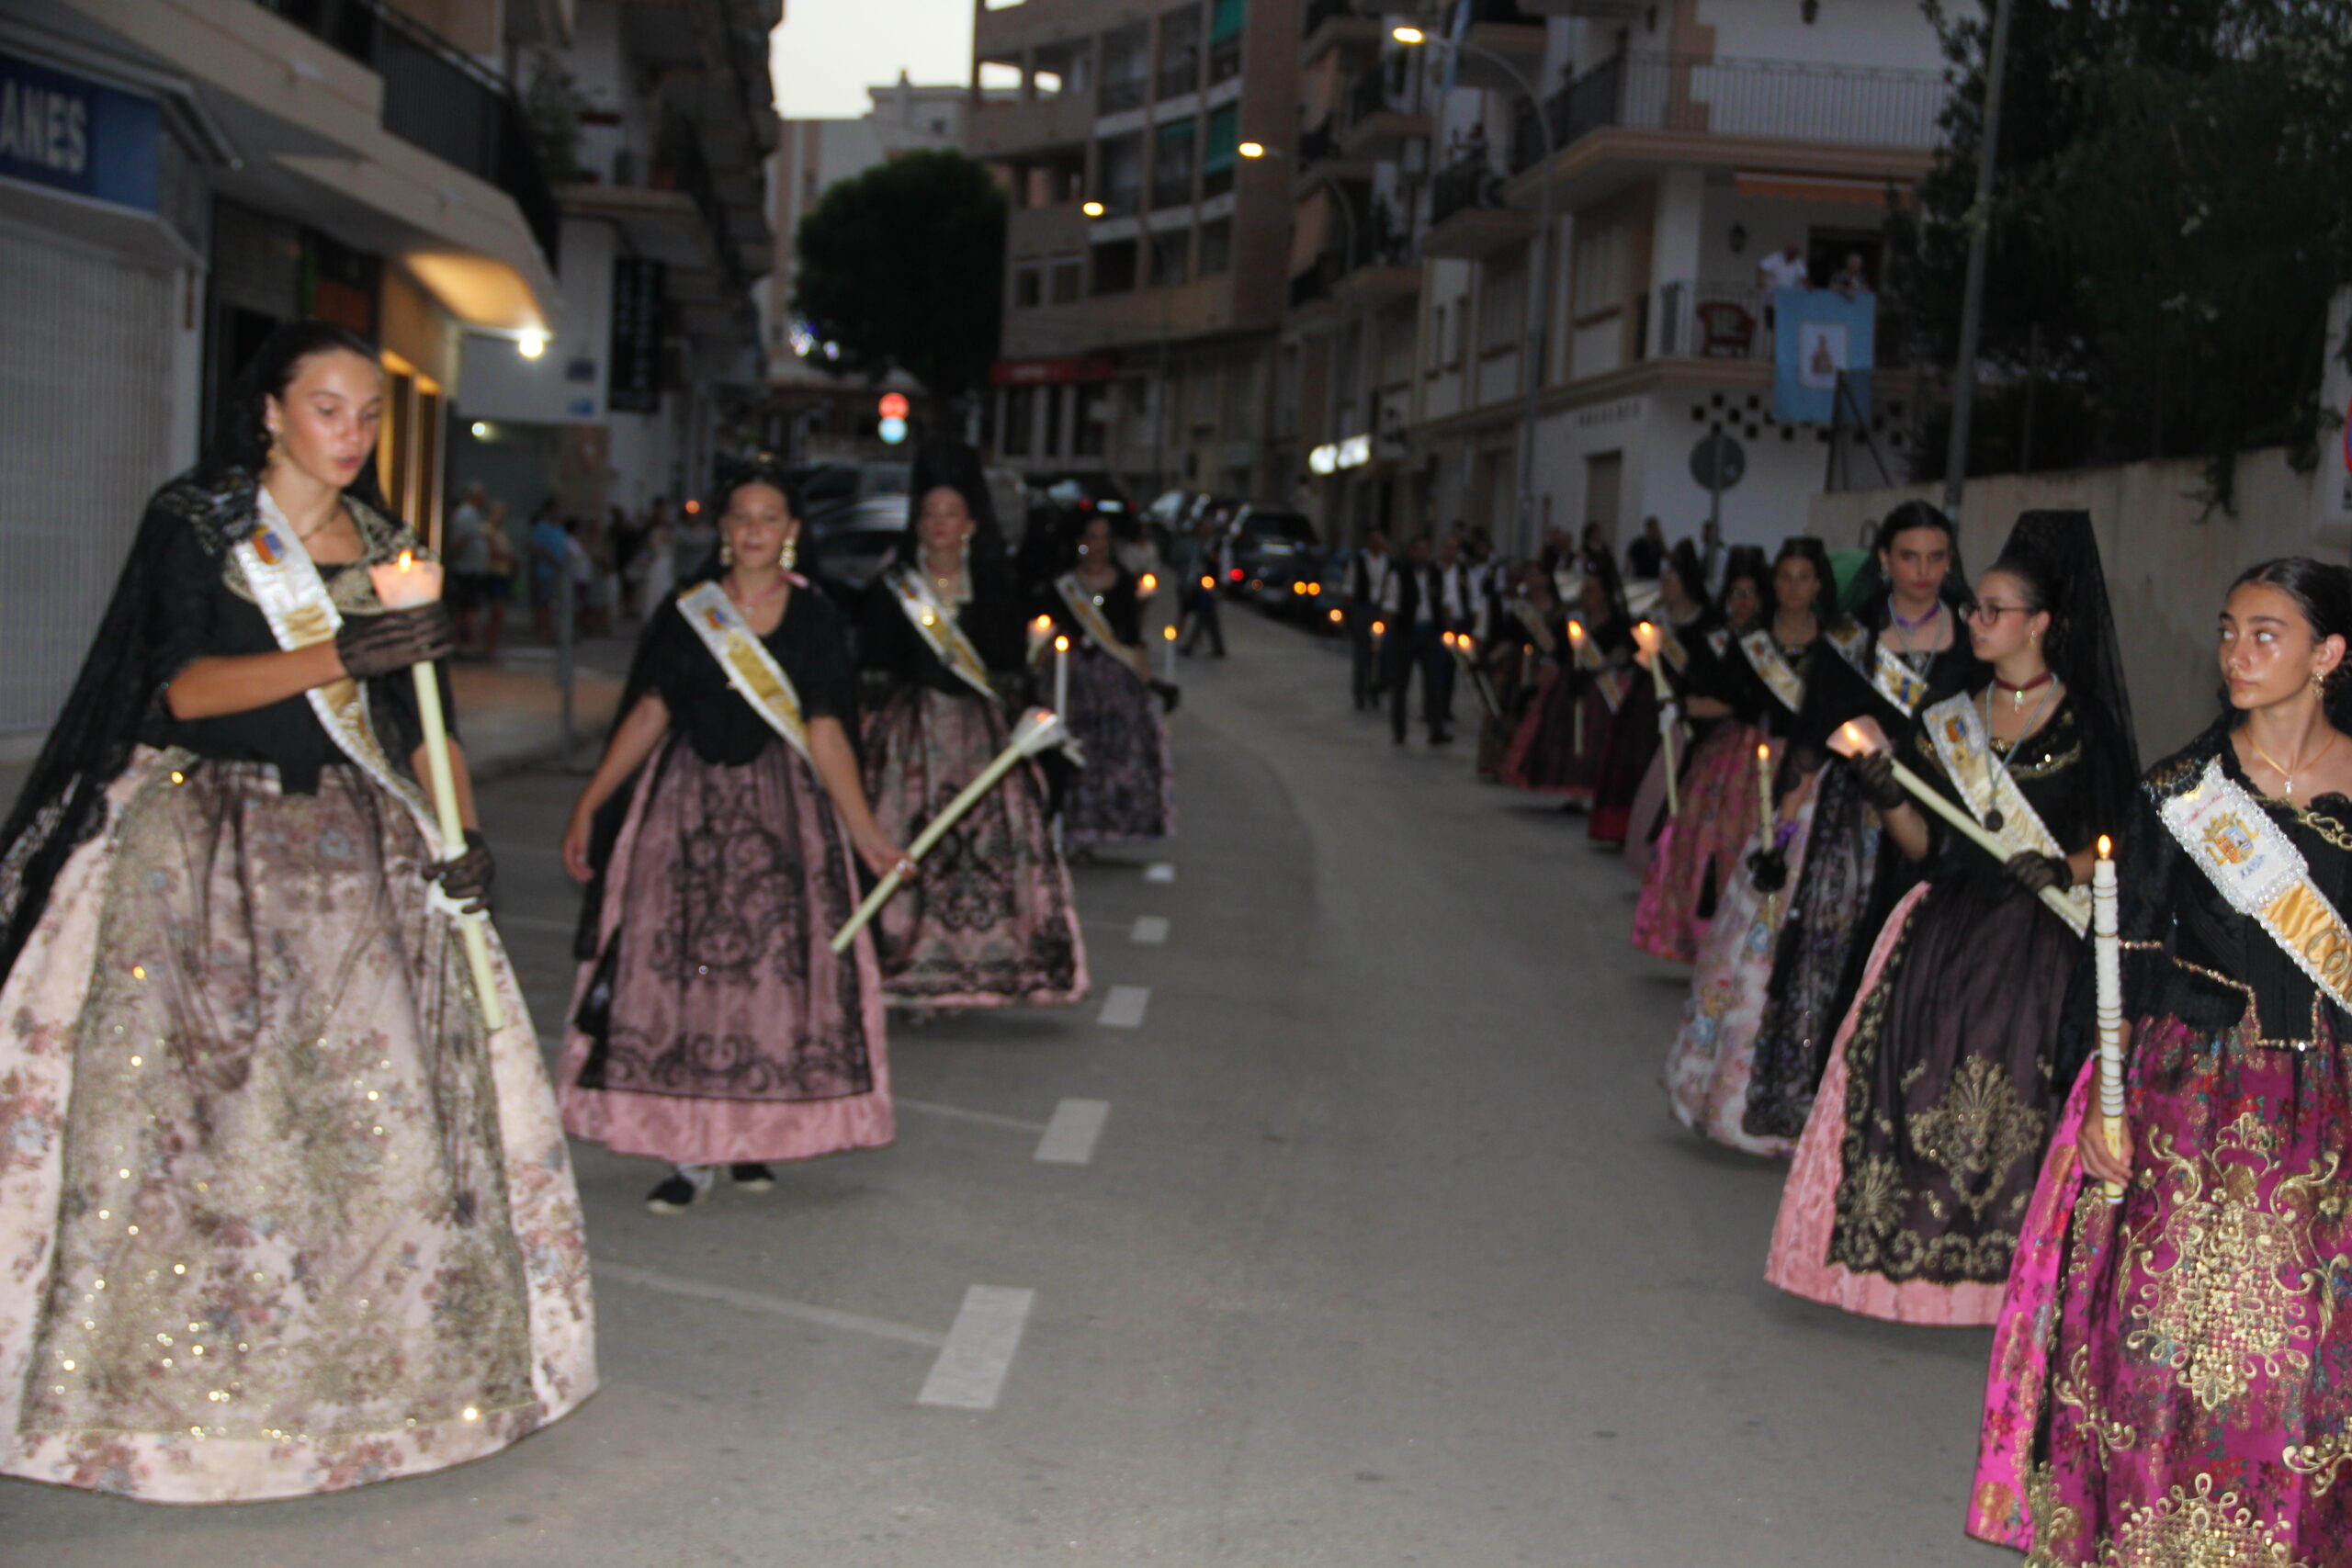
(1920, 1155)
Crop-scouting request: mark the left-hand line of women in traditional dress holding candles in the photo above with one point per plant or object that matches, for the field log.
(286, 1184)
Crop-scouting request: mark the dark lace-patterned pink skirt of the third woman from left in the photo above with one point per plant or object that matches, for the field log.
(991, 920)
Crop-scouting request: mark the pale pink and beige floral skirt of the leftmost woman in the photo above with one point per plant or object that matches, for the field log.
(281, 1214)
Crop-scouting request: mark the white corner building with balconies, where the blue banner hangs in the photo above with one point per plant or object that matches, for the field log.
(1676, 147)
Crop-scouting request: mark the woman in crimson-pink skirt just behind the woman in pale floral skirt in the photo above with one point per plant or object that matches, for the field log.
(1699, 850)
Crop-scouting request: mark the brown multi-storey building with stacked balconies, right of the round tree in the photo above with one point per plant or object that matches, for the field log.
(1147, 262)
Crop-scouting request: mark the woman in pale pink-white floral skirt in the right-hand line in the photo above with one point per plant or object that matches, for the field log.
(1711, 1061)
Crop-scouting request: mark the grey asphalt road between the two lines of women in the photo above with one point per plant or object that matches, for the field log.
(1384, 1254)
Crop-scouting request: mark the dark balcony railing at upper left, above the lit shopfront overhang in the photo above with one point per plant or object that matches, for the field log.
(441, 100)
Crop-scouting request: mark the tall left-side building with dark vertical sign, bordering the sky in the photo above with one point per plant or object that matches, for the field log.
(655, 363)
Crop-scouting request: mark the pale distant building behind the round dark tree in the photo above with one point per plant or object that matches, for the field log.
(815, 415)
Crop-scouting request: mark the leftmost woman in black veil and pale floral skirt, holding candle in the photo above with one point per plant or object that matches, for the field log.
(281, 1212)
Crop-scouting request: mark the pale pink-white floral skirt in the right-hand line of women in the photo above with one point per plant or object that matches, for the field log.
(1711, 1061)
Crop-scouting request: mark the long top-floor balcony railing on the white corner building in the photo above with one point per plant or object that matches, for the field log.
(1739, 98)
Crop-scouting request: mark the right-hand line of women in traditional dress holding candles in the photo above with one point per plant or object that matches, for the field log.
(1866, 800)
